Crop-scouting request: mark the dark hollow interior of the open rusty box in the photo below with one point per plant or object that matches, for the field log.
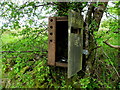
(62, 41)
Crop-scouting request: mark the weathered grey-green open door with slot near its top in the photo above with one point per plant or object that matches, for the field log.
(75, 42)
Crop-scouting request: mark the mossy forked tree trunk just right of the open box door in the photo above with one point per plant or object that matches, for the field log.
(93, 18)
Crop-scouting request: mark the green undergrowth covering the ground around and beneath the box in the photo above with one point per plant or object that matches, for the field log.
(26, 66)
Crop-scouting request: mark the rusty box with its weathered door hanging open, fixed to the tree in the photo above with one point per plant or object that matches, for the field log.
(65, 42)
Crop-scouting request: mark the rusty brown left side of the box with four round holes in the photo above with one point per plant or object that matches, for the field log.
(52, 41)
